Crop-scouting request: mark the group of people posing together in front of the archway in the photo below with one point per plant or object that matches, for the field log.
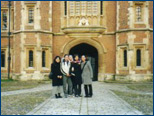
(68, 75)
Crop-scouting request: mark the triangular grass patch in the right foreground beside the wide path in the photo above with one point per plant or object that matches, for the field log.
(143, 103)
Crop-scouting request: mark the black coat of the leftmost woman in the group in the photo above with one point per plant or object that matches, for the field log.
(55, 67)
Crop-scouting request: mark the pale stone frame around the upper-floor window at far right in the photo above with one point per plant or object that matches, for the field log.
(142, 4)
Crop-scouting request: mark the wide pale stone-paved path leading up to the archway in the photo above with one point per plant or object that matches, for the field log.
(103, 102)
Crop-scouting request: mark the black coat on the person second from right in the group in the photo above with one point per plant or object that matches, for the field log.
(76, 74)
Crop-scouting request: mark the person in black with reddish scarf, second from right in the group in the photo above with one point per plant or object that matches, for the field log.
(76, 75)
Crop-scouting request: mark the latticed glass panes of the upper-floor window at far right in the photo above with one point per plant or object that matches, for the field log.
(138, 13)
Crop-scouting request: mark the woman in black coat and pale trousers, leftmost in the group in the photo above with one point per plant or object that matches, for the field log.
(57, 81)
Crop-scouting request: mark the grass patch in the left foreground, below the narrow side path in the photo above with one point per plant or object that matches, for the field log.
(23, 103)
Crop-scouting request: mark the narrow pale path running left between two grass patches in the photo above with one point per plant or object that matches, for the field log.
(36, 89)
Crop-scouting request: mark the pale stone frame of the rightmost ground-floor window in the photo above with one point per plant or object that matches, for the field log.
(142, 47)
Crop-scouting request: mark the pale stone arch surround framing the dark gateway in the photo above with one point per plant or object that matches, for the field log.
(100, 48)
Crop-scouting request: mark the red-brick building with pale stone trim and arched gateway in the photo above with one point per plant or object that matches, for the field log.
(117, 37)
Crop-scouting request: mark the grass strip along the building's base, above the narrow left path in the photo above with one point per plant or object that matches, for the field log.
(10, 85)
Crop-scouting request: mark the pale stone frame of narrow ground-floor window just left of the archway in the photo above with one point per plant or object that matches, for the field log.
(47, 66)
